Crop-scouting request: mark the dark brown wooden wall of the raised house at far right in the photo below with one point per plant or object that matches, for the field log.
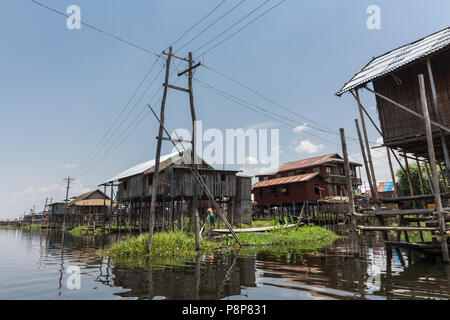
(397, 124)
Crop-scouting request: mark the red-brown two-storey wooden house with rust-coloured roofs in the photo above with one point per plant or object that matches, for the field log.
(307, 180)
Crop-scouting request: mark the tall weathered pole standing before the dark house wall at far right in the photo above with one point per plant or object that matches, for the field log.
(435, 180)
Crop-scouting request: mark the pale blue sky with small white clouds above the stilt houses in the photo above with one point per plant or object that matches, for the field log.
(62, 89)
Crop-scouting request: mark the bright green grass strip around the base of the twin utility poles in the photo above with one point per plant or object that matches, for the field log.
(182, 245)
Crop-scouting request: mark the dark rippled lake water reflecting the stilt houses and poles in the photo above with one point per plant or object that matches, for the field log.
(34, 265)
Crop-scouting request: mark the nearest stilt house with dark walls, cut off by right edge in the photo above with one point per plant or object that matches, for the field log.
(412, 89)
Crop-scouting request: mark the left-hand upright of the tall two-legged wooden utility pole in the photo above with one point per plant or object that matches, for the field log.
(158, 155)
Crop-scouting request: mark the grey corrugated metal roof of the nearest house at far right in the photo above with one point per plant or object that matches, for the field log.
(397, 58)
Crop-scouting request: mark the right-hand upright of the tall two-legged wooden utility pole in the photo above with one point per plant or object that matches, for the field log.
(194, 160)
